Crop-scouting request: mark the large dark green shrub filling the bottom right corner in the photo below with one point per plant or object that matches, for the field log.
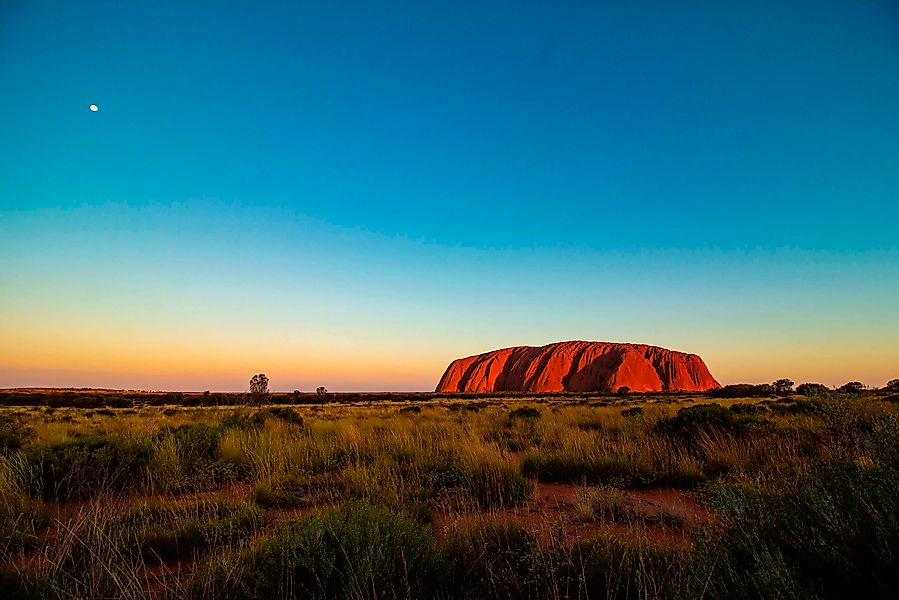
(832, 533)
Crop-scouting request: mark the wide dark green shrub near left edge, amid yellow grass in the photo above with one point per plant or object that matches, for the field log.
(86, 466)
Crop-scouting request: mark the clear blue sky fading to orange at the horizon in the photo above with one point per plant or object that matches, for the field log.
(354, 194)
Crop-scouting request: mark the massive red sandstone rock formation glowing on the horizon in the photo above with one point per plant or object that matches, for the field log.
(578, 367)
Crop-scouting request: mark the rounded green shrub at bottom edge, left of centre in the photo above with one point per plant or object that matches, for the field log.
(355, 551)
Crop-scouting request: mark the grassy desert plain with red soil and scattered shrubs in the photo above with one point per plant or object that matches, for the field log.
(139, 495)
